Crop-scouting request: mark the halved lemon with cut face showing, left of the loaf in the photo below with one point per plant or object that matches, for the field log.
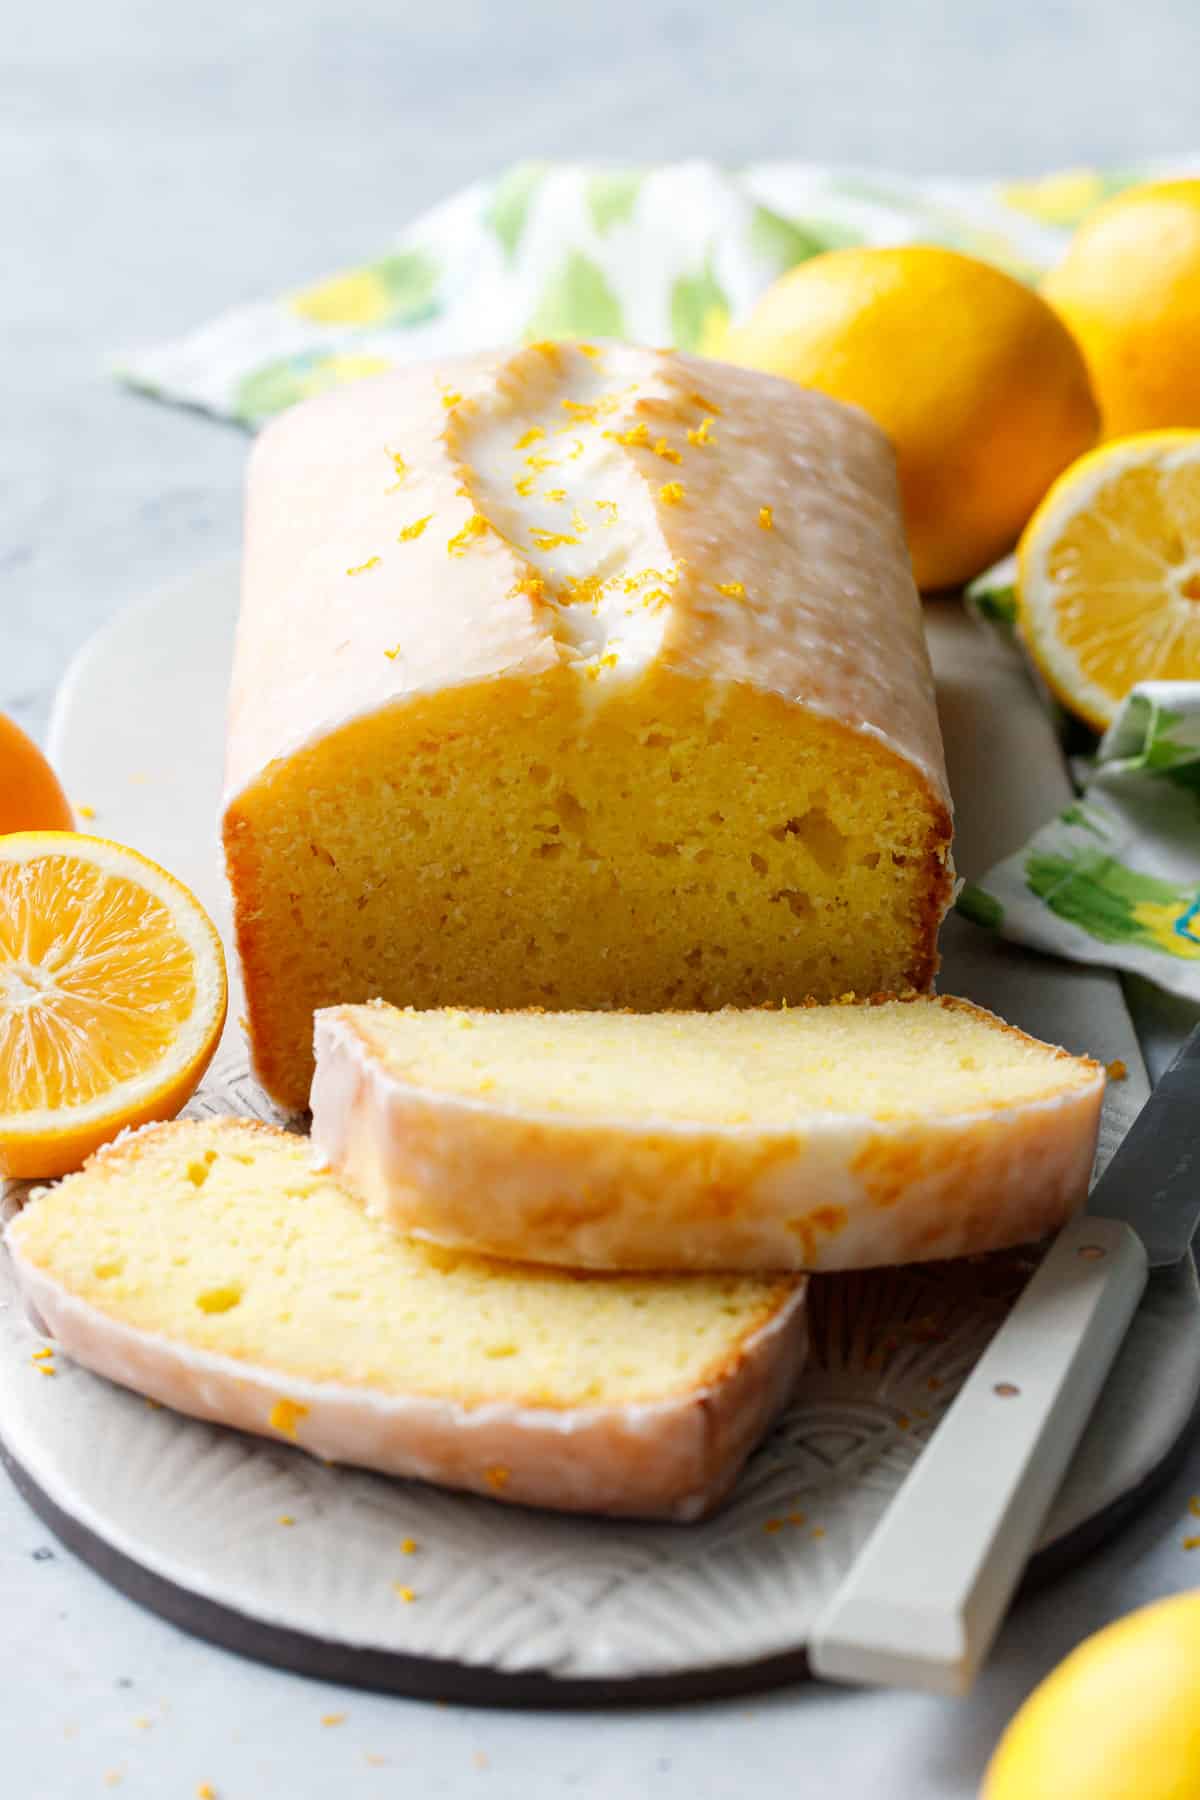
(112, 996)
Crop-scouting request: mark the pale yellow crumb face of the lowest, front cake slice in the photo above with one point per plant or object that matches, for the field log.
(222, 1237)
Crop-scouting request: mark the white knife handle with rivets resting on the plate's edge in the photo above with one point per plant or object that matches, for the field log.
(929, 1590)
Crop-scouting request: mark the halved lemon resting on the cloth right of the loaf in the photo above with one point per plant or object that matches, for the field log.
(1109, 573)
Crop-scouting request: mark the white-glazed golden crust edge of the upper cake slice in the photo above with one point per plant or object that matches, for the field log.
(832, 1191)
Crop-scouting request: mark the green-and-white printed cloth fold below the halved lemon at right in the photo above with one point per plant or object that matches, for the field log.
(1116, 877)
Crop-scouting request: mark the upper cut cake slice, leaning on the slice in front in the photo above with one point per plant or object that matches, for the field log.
(807, 1138)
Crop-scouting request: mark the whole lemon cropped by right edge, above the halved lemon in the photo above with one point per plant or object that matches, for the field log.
(1129, 287)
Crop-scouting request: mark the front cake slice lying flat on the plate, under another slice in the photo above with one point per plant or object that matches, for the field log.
(210, 1268)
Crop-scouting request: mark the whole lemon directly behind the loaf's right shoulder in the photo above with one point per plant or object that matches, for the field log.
(976, 381)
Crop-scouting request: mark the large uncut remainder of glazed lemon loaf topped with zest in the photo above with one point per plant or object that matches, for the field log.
(580, 676)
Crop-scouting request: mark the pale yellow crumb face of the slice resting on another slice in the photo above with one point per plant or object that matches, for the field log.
(766, 1068)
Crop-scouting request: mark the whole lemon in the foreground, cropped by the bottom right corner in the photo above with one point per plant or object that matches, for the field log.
(1118, 1720)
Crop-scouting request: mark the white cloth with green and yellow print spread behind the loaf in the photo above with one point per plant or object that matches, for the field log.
(674, 253)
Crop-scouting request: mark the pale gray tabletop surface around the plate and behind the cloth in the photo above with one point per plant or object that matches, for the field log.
(159, 163)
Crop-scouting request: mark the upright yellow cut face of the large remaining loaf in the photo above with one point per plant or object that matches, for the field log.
(517, 845)
